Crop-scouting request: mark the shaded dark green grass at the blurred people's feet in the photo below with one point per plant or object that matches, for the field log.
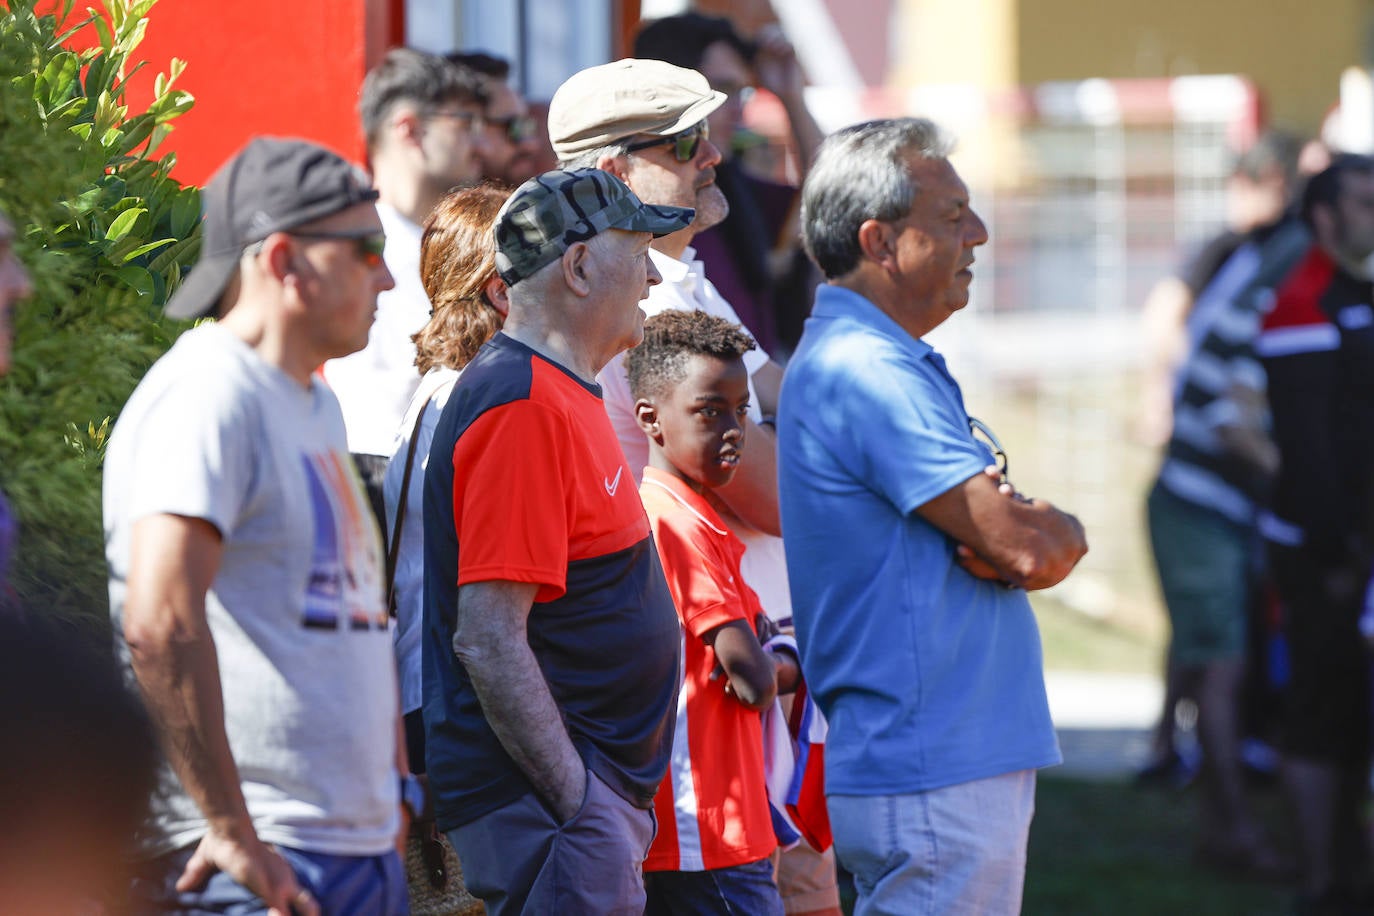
(1114, 849)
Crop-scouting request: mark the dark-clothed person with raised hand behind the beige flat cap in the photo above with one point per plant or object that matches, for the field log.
(755, 256)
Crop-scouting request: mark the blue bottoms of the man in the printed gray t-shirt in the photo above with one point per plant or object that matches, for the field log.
(373, 885)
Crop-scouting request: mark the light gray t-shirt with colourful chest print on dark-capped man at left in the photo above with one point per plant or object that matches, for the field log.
(296, 610)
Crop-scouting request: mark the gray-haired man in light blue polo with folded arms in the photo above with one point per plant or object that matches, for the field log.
(909, 562)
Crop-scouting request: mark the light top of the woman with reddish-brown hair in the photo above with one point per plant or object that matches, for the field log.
(410, 562)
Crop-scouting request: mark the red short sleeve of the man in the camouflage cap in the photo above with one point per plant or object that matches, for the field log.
(512, 502)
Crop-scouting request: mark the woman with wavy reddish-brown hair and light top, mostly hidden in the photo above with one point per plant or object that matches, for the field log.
(458, 267)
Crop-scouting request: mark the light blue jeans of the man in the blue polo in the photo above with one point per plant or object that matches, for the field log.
(951, 851)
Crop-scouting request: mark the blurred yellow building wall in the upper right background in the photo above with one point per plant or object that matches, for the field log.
(1294, 51)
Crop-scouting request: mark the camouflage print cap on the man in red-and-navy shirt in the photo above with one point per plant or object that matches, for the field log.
(553, 211)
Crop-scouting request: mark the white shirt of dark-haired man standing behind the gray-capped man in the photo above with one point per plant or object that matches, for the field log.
(376, 384)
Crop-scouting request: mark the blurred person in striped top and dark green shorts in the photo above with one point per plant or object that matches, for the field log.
(1217, 474)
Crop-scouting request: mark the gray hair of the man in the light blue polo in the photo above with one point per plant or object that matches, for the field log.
(861, 174)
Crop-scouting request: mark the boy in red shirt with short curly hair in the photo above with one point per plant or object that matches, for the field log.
(715, 830)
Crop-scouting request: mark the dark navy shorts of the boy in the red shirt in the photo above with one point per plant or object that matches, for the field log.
(748, 891)
